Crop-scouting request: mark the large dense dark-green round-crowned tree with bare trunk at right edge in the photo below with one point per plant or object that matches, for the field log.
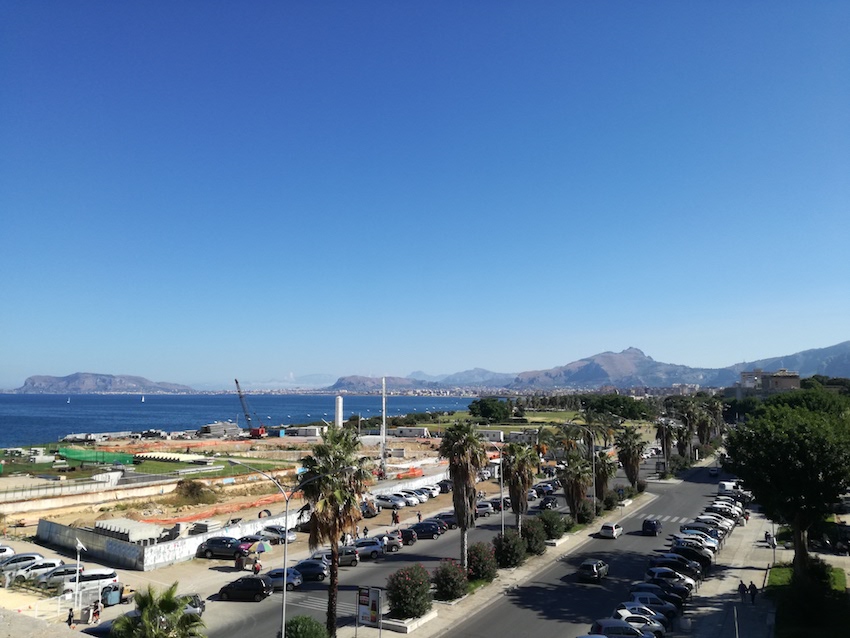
(797, 463)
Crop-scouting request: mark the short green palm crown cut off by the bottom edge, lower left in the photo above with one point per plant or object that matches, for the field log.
(161, 615)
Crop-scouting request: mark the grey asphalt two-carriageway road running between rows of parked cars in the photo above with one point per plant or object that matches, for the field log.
(553, 604)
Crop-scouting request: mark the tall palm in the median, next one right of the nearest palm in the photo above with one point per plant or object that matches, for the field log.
(464, 450)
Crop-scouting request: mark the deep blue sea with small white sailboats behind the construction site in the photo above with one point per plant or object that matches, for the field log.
(37, 419)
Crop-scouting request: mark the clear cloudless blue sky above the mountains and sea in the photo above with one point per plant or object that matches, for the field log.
(198, 191)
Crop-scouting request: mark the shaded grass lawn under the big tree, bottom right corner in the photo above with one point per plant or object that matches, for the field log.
(800, 616)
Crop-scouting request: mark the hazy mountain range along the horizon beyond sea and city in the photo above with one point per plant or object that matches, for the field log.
(627, 369)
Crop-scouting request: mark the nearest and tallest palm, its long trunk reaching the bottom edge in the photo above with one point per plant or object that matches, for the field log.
(334, 481)
